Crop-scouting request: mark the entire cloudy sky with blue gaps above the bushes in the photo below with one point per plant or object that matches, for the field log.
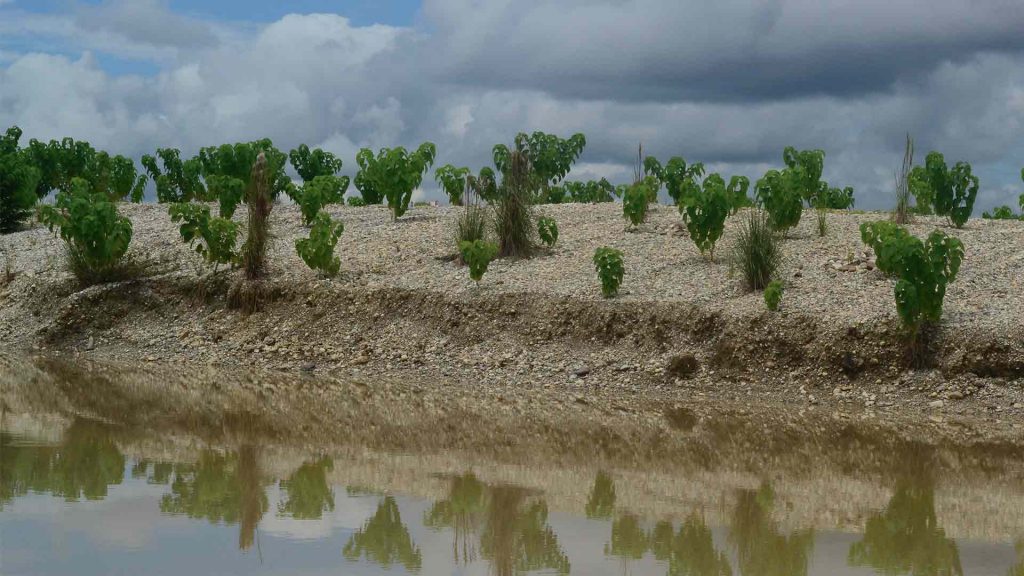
(730, 84)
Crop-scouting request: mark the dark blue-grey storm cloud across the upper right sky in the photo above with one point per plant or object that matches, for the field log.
(728, 51)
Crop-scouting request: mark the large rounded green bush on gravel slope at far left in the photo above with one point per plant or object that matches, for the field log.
(97, 236)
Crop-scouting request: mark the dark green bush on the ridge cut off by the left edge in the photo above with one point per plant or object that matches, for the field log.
(19, 179)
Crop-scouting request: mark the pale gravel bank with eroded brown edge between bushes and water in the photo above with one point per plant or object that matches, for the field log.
(682, 333)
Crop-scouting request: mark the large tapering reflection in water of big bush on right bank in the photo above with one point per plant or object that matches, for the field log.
(907, 539)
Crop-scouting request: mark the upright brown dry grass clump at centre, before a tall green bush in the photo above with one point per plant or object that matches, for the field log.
(515, 210)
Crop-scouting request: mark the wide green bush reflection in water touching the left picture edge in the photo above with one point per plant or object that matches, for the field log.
(82, 467)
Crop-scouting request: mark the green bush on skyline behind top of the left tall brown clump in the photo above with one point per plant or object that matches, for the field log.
(228, 171)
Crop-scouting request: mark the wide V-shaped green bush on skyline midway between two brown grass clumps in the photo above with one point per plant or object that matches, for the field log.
(393, 175)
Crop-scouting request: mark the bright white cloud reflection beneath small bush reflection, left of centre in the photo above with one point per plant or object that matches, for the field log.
(350, 514)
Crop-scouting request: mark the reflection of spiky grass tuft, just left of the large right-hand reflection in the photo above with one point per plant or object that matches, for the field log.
(761, 549)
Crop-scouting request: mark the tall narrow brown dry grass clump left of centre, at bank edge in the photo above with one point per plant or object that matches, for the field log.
(247, 294)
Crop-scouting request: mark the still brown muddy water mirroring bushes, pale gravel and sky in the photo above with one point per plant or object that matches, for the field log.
(83, 497)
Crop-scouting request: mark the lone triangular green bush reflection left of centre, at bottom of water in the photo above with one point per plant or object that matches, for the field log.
(386, 541)
